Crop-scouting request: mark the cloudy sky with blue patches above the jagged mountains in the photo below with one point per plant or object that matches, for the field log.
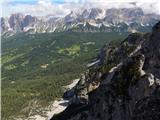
(63, 7)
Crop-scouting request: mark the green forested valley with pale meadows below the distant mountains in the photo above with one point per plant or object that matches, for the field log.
(36, 66)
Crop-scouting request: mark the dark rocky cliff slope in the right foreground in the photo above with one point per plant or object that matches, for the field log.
(123, 83)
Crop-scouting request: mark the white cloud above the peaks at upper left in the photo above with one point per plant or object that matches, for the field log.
(43, 7)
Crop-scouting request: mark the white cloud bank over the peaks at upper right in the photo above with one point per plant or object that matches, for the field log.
(149, 6)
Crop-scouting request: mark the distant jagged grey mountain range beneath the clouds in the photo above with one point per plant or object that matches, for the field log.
(88, 20)
